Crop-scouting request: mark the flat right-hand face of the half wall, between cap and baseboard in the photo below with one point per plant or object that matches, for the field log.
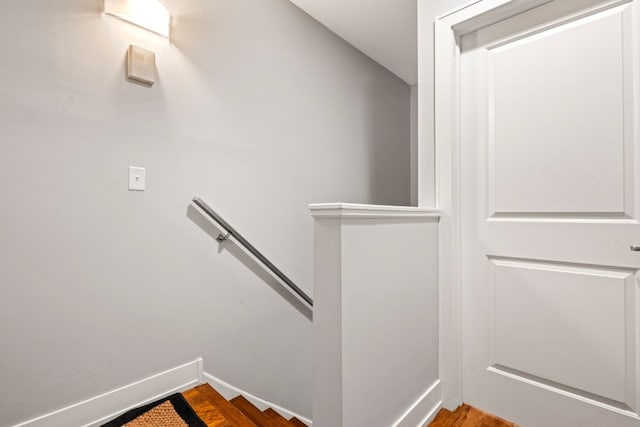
(390, 314)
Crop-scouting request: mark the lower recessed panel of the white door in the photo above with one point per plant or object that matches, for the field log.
(552, 300)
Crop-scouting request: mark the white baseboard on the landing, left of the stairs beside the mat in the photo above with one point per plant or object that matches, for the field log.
(99, 409)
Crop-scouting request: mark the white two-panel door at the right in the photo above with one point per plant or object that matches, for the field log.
(550, 184)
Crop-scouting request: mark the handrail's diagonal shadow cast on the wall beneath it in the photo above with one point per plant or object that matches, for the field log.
(241, 255)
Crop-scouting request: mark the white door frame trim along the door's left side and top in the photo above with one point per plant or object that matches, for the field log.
(449, 28)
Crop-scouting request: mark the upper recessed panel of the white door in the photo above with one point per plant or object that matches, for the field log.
(577, 179)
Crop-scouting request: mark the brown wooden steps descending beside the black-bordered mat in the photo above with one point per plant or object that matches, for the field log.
(216, 411)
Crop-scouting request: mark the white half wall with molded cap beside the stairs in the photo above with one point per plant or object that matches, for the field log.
(376, 316)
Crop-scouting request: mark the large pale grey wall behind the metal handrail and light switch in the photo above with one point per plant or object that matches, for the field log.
(257, 108)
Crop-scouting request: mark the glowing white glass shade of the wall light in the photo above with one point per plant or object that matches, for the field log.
(151, 15)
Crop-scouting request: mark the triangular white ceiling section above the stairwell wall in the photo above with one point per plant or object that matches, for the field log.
(385, 30)
